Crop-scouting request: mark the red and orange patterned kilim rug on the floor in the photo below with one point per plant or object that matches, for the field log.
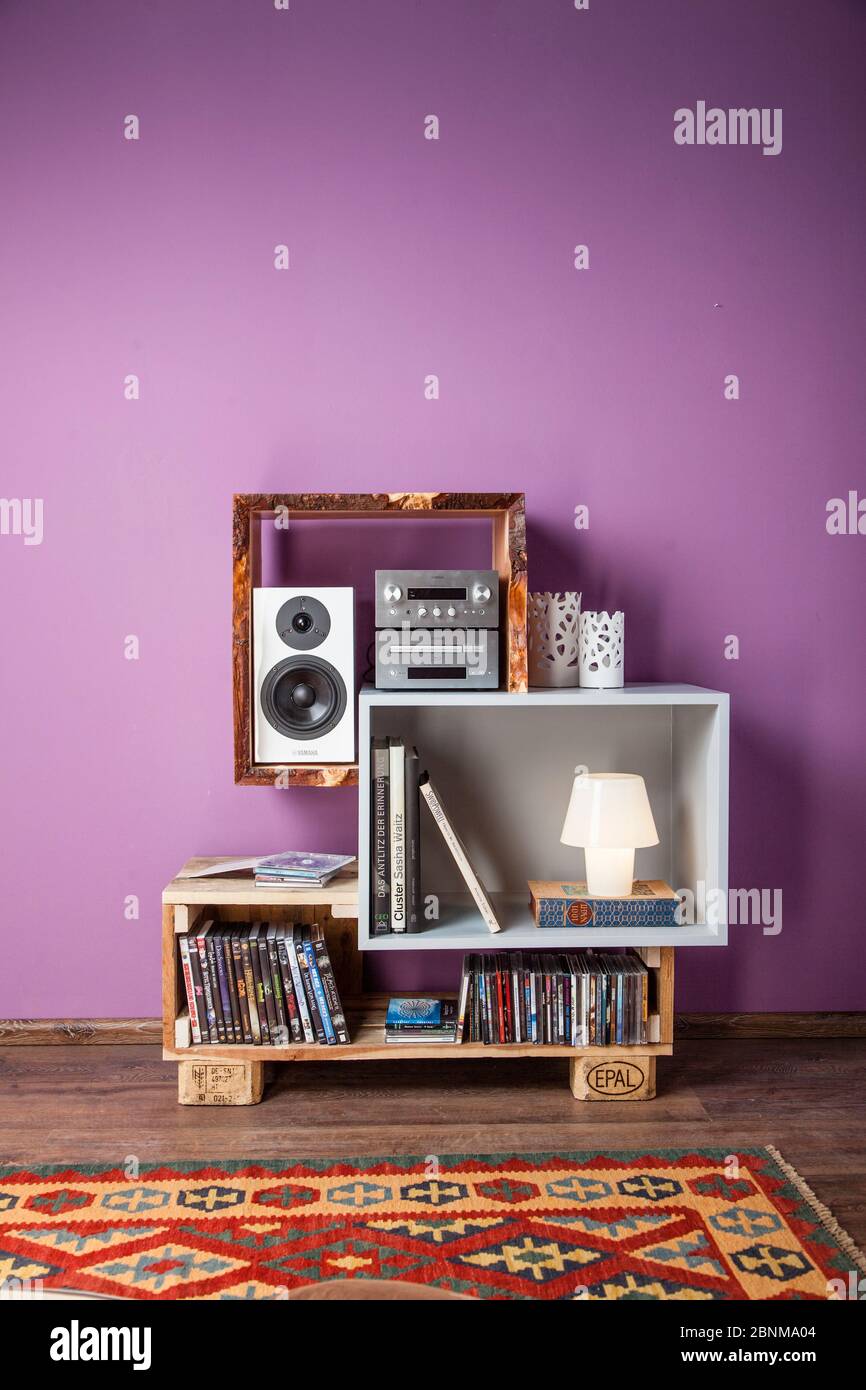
(622, 1225)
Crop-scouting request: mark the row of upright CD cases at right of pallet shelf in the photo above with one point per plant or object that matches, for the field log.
(582, 999)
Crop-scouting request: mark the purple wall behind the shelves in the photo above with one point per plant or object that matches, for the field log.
(411, 256)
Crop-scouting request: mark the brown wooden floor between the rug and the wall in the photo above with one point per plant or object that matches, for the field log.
(807, 1097)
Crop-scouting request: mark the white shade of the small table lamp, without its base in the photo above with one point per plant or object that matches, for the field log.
(610, 811)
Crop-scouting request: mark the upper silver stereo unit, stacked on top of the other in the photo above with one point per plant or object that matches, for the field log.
(437, 598)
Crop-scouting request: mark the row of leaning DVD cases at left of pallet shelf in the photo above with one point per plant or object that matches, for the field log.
(266, 983)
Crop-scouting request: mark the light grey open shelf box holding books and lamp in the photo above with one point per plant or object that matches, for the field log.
(505, 765)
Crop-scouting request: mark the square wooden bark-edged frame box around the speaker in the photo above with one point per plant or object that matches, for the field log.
(507, 512)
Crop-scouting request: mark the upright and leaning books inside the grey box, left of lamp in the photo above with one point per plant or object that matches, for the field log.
(395, 836)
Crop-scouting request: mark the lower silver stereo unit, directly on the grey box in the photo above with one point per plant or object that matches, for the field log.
(430, 660)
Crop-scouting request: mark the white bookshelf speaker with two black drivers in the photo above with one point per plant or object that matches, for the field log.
(304, 673)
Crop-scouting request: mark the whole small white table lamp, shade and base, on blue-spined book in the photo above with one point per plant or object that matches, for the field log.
(610, 817)
